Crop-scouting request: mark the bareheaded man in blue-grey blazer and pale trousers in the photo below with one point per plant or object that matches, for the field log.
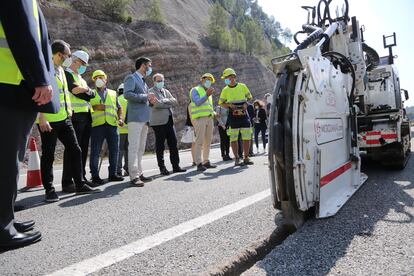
(136, 92)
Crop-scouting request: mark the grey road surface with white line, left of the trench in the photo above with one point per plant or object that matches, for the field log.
(186, 223)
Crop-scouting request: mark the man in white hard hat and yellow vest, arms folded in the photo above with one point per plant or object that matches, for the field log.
(80, 96)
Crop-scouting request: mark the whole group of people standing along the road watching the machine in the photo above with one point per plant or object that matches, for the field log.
(42, 82)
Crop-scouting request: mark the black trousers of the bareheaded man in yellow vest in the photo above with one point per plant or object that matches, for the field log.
(65, 132)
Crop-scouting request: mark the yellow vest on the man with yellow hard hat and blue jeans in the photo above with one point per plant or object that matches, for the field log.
(110, 115)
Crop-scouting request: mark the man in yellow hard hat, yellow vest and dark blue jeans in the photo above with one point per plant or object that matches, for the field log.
(106, 117)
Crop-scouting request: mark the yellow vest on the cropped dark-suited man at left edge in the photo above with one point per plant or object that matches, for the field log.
(9, 71)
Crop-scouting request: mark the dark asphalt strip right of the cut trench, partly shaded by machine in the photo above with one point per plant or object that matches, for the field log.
(372, 235)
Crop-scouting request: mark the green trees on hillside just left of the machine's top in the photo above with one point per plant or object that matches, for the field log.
(242, 26)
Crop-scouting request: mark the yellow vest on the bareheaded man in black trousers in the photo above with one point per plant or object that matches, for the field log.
(64, 100)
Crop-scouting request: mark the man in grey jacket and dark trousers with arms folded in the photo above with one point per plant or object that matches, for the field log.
(161, 121)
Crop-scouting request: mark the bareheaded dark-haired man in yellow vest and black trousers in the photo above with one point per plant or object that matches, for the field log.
(59, 126)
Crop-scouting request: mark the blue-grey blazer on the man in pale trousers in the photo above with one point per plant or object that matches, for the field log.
(136, 92)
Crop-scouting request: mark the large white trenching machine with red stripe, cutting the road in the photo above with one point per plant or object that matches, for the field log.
(322, 90)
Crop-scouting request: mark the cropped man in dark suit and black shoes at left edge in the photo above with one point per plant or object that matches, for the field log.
(27, 85)
